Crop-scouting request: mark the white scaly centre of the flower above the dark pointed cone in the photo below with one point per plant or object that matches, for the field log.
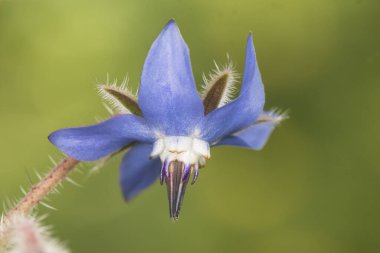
(188, 150)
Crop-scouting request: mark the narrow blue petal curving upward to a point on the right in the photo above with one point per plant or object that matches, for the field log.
(244, 110)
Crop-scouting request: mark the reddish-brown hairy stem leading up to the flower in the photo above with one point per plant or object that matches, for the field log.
(43, 188)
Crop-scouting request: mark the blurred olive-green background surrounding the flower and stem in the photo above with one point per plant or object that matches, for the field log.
(314, 188)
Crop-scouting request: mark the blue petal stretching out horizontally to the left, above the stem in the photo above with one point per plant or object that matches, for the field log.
(94, 142)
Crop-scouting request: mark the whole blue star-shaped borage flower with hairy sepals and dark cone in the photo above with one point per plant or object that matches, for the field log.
(170, 128)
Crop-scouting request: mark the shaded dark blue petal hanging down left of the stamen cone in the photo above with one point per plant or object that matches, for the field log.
(137, 171)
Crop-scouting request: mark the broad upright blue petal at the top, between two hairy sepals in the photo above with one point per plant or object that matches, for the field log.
(168, 96)
